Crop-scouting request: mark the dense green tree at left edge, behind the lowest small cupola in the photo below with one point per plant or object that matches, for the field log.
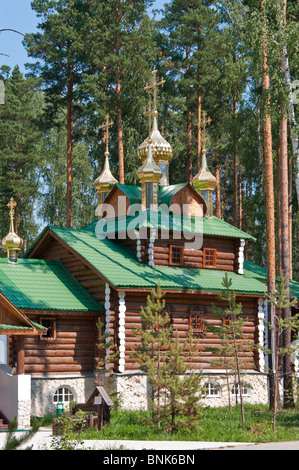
(19, 156)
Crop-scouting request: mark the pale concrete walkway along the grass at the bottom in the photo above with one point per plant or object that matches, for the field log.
(43, 438)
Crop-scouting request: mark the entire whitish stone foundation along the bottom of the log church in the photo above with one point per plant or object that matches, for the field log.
(133, 390)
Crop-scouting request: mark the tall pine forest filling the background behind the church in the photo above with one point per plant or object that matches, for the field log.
(89, 58)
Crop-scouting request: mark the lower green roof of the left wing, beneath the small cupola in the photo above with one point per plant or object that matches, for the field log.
(43, 285)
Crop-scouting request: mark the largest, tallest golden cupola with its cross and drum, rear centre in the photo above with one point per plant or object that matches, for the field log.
(161, 149)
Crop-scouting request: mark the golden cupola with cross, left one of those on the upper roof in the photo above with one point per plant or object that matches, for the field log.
(105, 182)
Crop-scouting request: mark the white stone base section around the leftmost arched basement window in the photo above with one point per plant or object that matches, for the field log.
(44, 388)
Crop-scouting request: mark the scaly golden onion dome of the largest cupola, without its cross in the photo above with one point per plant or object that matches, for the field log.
(161, 149)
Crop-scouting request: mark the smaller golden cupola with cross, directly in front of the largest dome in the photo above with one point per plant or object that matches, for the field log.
(150, 175)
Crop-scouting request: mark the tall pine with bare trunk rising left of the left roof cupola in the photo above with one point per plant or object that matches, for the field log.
(61, 49)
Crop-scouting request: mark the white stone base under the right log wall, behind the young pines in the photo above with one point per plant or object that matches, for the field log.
(133, 389)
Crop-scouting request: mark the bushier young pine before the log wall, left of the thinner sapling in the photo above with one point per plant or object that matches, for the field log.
(166, 361)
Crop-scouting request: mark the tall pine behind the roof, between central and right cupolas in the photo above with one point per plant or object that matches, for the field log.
(190, 36)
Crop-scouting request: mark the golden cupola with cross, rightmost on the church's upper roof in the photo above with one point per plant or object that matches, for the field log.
(204, 182)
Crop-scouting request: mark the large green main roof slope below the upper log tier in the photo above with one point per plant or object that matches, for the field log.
(118, 264)
